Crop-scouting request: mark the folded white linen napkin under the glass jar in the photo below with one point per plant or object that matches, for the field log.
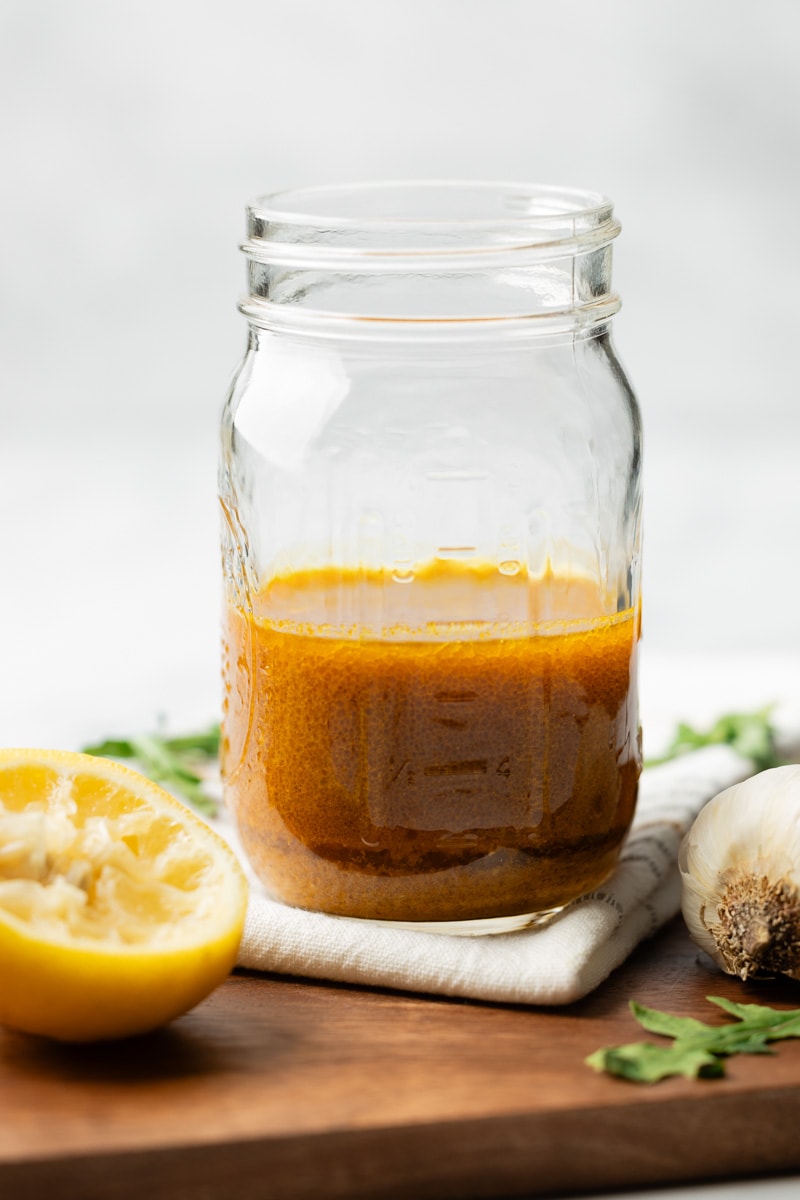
(555, 964)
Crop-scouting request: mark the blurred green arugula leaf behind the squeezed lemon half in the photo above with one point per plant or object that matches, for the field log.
(175, 763)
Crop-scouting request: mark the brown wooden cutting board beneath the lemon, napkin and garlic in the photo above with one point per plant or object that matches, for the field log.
(294, 1089)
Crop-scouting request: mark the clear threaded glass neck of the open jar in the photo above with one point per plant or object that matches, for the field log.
(431, 256)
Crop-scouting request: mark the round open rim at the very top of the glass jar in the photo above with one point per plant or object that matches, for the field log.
(426, 218)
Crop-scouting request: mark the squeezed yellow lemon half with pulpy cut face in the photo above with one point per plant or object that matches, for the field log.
(119, 908)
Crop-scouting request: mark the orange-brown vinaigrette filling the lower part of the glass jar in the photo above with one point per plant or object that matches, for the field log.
(419, 779)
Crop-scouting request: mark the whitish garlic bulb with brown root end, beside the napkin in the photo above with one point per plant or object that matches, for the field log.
(741, 869)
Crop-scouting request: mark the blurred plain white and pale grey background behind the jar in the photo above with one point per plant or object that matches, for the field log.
(133, 136)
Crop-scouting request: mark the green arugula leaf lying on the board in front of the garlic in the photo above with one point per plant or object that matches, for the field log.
(697, 1051)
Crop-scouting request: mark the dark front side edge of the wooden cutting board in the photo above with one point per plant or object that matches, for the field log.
(552, 1154)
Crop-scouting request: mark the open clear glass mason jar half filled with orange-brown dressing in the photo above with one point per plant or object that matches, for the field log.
(431, 495)
